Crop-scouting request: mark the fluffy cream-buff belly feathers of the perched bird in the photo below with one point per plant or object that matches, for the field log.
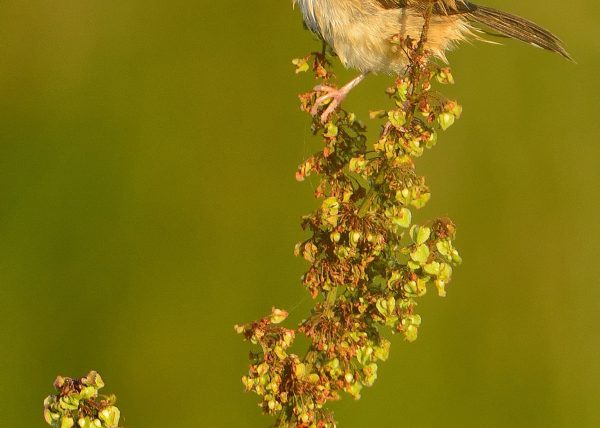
(359, 31)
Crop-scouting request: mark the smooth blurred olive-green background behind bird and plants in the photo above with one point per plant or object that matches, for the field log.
(148, 203)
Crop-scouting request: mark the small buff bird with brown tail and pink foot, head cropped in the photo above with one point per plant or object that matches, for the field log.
(359, 32)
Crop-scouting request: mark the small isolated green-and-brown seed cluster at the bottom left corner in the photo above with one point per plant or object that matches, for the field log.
(78, 403)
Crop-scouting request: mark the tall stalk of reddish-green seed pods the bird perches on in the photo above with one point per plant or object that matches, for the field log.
(368, 260)
